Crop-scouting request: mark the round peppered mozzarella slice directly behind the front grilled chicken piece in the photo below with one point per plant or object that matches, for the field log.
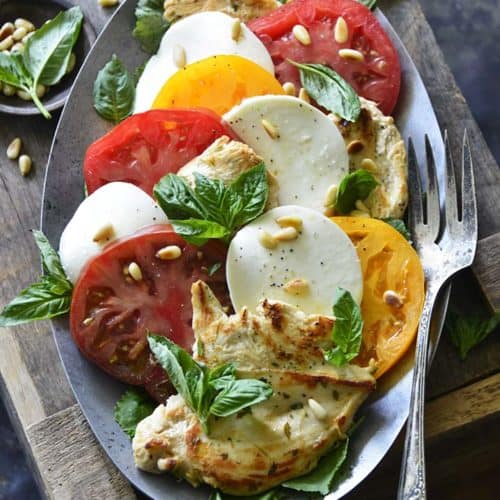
(303, 272)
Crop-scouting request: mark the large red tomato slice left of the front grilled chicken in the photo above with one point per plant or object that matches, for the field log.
(111, 313)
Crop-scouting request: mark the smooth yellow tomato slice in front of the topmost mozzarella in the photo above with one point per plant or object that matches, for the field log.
(217, 83)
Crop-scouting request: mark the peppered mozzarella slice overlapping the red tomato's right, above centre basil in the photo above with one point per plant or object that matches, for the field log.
(298, 144)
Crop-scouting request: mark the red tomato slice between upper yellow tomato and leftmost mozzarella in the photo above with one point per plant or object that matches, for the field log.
(147, 146)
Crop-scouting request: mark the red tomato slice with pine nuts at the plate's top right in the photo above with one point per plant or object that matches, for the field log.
(377, 78)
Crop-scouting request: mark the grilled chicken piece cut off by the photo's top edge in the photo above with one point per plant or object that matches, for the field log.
(243, 9)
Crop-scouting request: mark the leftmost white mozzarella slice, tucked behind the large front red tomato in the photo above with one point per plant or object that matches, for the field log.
(113, 211)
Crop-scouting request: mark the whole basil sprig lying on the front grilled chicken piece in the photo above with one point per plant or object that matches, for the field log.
(207, 391)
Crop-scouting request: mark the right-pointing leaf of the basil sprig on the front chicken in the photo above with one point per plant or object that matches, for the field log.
(240, 394)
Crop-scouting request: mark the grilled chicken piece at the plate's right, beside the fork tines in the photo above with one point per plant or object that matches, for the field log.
(375, 137)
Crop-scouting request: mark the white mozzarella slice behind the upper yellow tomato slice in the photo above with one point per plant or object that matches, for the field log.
(196, 37)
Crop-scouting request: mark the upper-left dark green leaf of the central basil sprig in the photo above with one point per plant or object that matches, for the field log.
(177, 199)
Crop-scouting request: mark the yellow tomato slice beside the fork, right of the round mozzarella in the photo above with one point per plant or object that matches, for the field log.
(388, 262)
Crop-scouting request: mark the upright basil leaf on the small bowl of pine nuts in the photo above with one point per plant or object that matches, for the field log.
(48, 51)
